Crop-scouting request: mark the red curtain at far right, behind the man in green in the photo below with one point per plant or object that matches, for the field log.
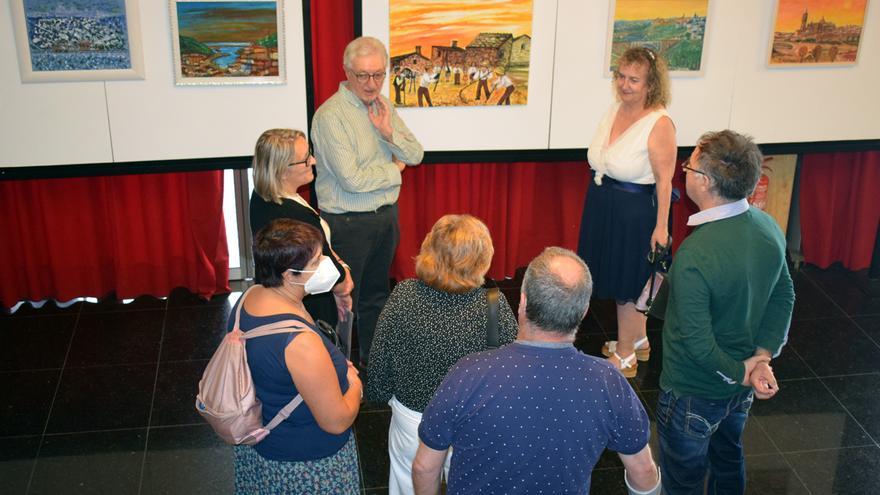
(840, 210)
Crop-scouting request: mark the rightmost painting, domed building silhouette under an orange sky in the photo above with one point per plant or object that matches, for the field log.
(817, 32)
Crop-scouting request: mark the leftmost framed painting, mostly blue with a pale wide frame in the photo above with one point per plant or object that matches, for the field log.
(64, 40)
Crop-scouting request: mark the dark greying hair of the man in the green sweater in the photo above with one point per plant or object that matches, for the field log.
(733, 162)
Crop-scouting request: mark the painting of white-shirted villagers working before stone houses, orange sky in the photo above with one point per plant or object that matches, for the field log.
(464, 53)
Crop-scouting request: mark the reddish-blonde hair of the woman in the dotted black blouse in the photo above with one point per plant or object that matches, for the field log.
(456, 254)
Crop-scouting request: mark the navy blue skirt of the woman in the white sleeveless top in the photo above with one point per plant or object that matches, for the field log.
(615, 239)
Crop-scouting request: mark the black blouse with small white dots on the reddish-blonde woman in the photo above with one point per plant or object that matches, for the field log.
(421, 333)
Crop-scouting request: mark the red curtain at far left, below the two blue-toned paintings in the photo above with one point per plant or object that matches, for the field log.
(132, 235)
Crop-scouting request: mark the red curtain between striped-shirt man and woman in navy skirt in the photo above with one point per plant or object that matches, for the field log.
(527, 206)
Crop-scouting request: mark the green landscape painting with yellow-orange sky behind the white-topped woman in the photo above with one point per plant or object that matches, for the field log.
(675, 29)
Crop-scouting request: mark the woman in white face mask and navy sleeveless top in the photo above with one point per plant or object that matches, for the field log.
(313, 450)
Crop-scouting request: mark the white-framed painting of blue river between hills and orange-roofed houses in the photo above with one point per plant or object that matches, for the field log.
(228, 42)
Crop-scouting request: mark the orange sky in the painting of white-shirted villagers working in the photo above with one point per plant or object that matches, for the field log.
(438, 22)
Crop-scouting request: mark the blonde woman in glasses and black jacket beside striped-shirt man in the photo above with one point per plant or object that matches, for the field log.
(282, 164)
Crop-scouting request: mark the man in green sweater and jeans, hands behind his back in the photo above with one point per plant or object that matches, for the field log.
(729, 311)
